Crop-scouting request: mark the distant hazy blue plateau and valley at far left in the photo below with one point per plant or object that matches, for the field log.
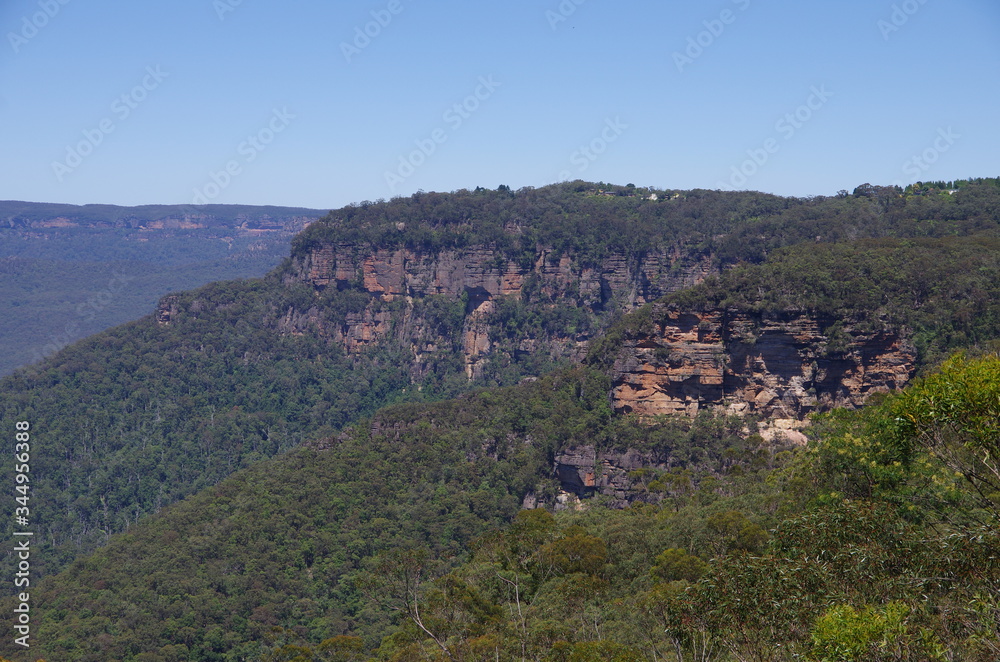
(67, 272)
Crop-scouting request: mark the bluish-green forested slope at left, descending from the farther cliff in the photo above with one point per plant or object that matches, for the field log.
(142, 415)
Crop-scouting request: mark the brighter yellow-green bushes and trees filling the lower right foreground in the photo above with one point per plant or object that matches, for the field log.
(878, 542)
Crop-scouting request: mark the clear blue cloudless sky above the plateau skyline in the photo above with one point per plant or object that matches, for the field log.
(292, 103)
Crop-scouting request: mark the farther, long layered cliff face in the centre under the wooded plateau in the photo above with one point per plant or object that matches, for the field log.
(481, 276)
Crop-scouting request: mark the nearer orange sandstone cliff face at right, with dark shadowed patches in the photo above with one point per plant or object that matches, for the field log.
(781, 366)
